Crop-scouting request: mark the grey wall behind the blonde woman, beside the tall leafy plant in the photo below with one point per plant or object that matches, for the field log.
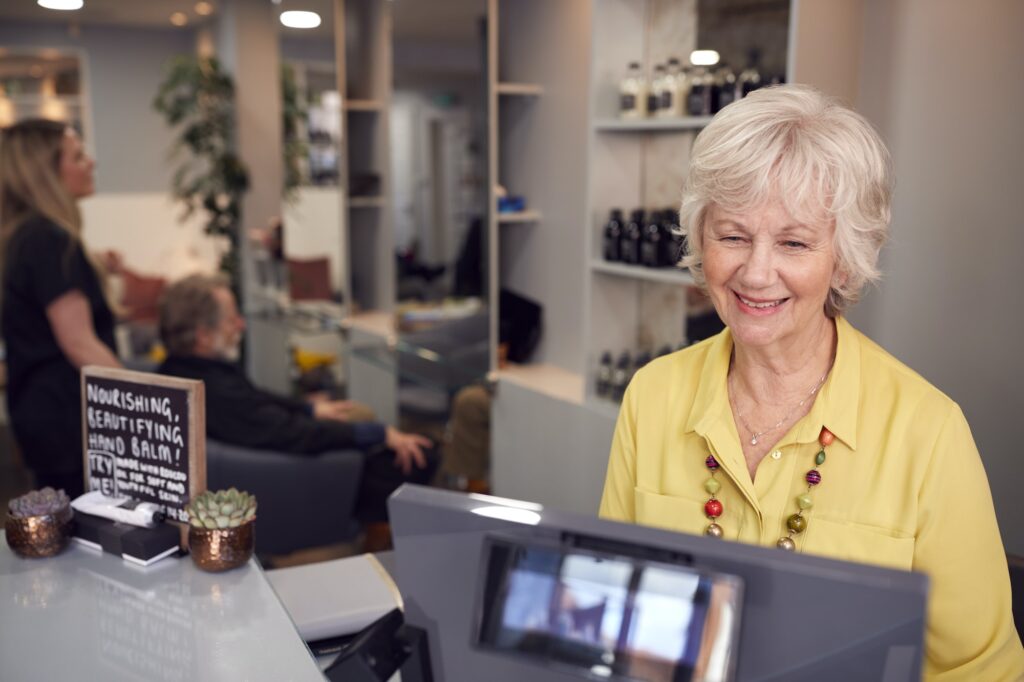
(123, 69)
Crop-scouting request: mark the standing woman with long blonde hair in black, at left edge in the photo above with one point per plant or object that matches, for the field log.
(56, 316)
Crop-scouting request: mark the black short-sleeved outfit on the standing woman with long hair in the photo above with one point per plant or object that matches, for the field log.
(44, 263)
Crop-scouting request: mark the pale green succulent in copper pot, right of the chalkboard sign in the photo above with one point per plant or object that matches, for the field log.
(221, 529)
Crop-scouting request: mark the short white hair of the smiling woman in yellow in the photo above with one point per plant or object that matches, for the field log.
(798, 146)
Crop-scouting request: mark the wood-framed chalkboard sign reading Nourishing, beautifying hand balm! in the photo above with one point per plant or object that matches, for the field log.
(144, 437)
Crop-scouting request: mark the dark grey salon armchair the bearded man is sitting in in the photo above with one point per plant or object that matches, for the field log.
(304, 500)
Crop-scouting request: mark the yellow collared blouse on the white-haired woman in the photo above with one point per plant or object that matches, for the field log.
(903, 487)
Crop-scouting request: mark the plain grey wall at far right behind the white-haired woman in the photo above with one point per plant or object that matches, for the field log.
(943, 80)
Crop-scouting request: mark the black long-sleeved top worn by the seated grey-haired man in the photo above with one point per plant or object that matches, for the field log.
(240, 414)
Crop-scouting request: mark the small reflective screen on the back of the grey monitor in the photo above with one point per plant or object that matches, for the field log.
(610, 617)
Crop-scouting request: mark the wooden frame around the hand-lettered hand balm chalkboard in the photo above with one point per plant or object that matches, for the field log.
(196, 445)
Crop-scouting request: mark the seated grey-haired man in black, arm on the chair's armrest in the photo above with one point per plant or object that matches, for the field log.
(202, 330)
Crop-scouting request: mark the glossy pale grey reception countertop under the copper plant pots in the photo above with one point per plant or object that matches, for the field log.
(91, 616)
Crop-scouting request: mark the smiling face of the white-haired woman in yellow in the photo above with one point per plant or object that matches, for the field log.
(769, 274)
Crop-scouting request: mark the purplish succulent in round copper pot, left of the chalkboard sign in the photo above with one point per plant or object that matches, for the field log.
(39, 524)
